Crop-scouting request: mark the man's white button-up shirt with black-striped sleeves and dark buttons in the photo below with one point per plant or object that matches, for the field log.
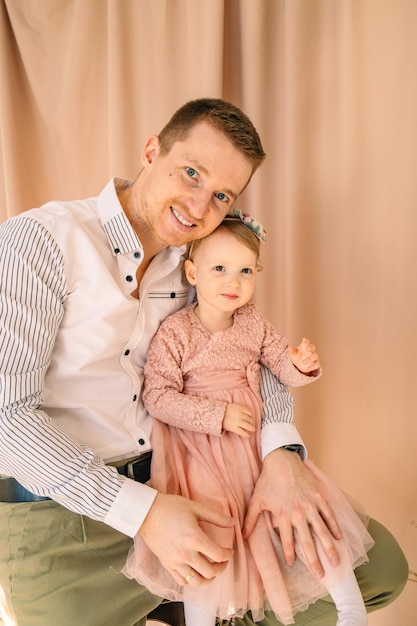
(73, 346)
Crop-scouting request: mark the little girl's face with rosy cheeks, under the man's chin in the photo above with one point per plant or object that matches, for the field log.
(223, 271)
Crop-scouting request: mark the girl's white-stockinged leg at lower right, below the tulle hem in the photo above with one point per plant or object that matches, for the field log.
(348, 599)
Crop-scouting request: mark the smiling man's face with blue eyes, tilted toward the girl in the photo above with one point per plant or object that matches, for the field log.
(187, 192)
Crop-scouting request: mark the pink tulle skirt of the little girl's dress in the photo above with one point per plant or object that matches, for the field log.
(221, 472)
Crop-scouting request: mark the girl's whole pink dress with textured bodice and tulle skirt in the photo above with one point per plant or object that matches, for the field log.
(191, 375)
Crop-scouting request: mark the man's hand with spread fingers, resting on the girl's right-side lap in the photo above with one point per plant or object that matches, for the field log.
(291, 493)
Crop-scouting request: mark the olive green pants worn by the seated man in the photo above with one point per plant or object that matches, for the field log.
(60, 569)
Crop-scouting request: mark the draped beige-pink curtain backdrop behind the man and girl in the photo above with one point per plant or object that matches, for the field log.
(332, 87)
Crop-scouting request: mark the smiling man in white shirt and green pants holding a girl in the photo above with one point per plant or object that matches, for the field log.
(84, 285)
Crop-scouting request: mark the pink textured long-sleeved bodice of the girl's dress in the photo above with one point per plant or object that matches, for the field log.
(183, 347)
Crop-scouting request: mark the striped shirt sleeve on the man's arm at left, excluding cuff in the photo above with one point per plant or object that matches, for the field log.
(33, 449)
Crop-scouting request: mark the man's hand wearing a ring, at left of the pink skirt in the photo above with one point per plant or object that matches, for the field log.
(172, 532)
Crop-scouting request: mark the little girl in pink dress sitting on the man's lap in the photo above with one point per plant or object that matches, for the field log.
(201, 385)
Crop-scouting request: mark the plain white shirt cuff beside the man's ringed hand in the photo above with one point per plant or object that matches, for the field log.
(130, 507)
